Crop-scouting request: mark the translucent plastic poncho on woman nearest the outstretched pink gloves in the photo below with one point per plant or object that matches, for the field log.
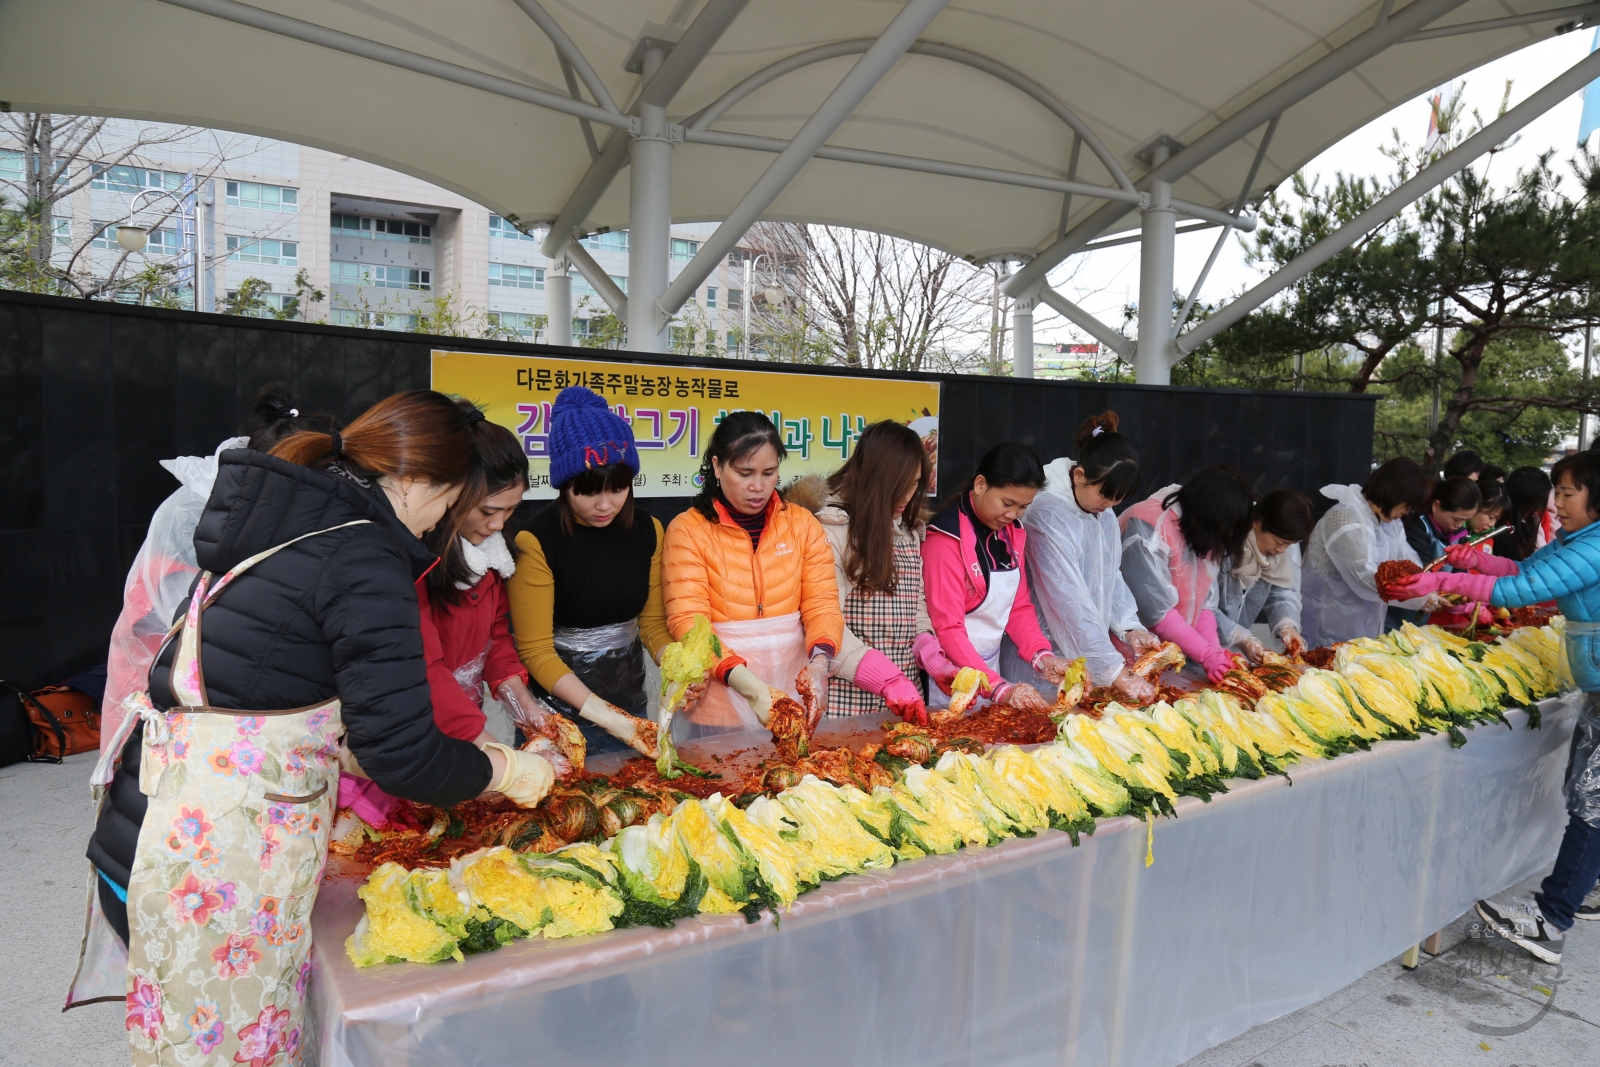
(1342, 569)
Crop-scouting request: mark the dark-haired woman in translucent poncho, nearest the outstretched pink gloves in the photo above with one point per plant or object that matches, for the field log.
(1359, 533)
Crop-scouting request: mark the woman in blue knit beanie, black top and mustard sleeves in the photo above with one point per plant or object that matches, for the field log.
(586, 599)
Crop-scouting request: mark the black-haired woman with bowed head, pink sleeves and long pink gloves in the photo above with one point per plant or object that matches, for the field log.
(1174, 546)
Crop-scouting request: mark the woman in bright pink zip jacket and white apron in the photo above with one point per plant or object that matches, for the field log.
(977, 585)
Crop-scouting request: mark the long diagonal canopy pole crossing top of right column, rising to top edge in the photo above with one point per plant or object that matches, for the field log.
(1274, 102)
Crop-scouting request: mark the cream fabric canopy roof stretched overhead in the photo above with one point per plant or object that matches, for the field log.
(1130, 71)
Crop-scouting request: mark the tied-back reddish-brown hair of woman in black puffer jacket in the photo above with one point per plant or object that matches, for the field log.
(418, 434)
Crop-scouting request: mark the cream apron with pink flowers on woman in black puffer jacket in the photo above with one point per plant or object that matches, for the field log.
(228, 866)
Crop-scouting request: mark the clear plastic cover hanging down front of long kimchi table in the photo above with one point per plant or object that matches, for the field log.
(1033, 953)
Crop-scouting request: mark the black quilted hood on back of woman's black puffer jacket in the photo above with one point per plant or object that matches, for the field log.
(260, 502)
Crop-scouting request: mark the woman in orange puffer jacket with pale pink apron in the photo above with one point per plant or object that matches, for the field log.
(761, 570)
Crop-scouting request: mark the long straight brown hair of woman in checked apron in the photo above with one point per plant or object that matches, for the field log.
(870, 486)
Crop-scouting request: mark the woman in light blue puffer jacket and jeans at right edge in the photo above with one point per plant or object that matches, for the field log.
(1567, 572)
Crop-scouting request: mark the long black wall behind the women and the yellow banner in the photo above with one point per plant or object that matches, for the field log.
(94, 394)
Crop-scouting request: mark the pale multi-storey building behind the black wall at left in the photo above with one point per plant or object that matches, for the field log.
(383, 247)
